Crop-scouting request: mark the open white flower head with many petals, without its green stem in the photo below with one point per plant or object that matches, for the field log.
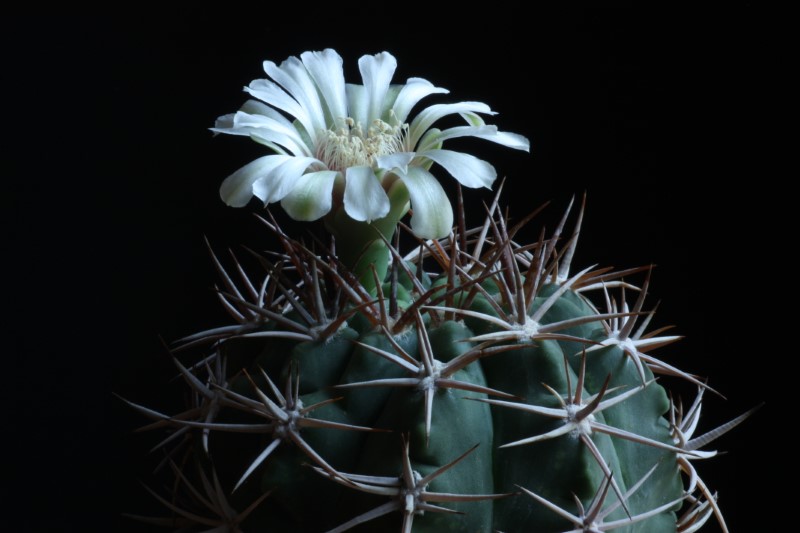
(330, 136)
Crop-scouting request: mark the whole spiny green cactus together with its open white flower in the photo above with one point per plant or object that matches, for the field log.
(455, 381)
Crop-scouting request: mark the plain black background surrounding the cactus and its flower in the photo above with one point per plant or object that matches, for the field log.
(663, 118)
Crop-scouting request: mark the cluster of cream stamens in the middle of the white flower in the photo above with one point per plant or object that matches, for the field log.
(350, 147)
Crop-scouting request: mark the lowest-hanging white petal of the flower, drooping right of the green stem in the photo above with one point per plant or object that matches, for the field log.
(433, 214)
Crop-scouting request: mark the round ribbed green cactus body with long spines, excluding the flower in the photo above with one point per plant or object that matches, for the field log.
(438, 371)
